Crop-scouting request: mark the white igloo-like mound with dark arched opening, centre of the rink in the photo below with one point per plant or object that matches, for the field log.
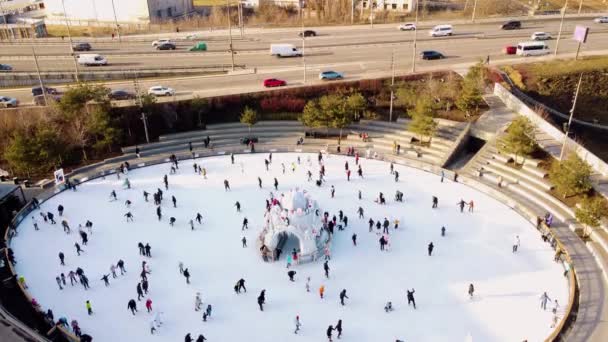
(296, 215)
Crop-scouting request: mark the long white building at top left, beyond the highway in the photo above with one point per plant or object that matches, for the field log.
(141, 11)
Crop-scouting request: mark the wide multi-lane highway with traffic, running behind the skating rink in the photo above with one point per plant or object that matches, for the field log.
(357, 51)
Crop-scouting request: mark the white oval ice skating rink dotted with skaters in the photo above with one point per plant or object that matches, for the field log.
(477, 249)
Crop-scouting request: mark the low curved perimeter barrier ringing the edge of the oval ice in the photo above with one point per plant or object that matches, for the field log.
(77, 177)
